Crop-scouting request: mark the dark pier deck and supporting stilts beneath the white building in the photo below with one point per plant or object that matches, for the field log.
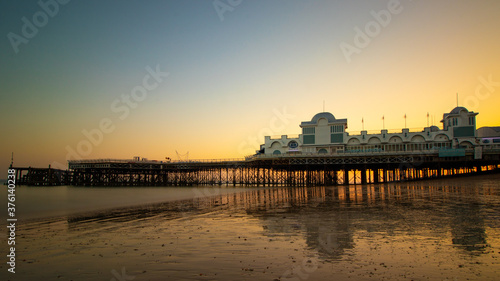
(264, 170)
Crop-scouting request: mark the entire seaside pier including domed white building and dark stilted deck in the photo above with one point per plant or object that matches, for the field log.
(324, 154)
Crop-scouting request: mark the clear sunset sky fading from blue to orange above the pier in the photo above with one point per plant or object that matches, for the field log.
(232, 74)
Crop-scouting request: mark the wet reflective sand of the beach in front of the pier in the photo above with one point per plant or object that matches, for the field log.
(432, 230)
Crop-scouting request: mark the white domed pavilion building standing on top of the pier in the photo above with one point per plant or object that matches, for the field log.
(326, 135)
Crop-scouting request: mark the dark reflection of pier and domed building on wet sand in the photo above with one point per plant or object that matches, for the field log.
(329, 218)
